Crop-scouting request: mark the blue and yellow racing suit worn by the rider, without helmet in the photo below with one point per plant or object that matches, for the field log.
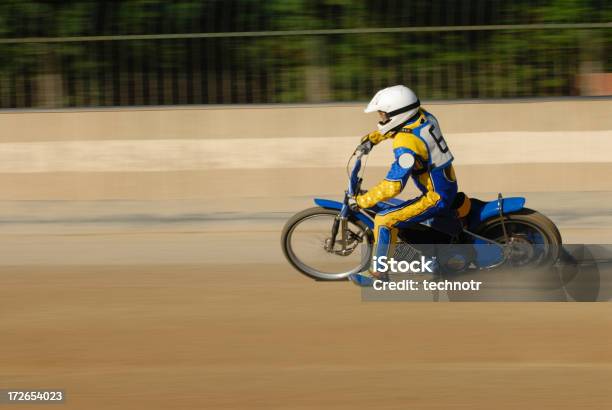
(421, 152)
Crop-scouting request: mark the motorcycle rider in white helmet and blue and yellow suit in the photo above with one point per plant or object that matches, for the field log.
(420, 152)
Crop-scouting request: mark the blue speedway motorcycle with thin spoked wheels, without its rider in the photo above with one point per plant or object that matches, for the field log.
(332, 240)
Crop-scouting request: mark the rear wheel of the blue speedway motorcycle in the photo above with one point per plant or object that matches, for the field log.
(534, 239)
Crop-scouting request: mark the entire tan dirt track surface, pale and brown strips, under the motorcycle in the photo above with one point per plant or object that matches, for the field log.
(134, 312)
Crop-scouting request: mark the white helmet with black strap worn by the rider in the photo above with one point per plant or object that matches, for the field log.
(399, 102)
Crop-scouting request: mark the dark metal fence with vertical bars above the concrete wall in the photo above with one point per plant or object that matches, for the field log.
(259, 60)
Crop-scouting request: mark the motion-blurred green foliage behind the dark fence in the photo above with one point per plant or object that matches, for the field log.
(466, 64)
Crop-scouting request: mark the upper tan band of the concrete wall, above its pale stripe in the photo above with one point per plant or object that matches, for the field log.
(295, 121)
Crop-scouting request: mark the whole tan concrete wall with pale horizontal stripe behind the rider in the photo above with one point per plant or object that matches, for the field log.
(195, 152)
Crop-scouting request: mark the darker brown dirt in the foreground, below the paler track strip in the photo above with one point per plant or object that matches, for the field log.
(241, 336)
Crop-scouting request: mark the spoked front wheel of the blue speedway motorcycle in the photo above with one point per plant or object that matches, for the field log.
(307, 244)
